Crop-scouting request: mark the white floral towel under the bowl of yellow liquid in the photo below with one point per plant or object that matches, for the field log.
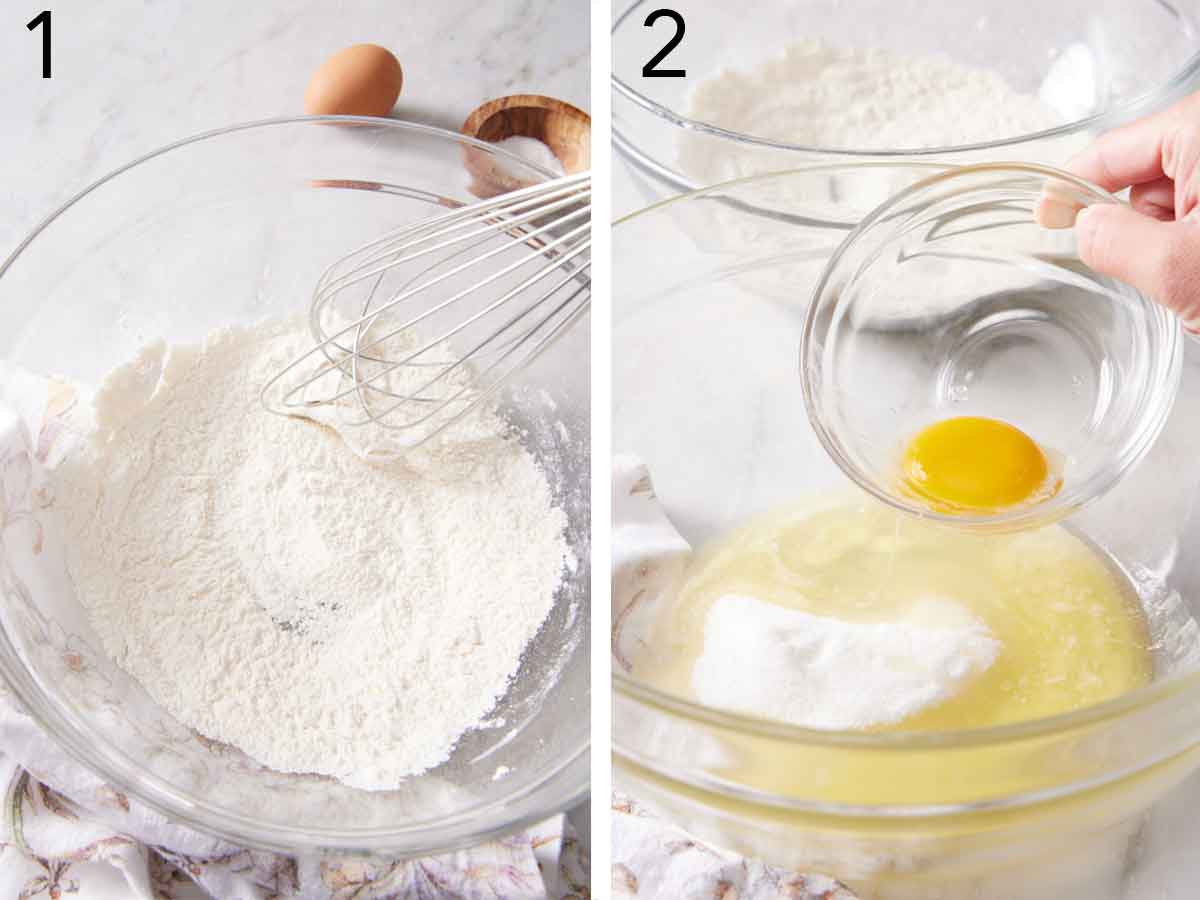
(655, 860)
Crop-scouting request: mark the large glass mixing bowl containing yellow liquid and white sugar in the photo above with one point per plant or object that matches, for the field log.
(711, 296)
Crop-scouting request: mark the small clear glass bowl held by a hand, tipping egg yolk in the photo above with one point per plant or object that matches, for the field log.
(951, 301)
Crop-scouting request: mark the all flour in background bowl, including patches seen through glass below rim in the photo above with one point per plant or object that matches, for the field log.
(820, 95)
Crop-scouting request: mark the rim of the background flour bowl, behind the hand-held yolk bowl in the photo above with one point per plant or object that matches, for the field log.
(1113, 113)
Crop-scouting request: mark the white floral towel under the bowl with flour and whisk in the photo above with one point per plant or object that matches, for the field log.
(81, 839)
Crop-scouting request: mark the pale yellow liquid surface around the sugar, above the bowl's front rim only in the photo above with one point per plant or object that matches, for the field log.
(1070, 627)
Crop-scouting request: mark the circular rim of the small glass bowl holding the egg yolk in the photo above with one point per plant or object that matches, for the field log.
(1168, 362)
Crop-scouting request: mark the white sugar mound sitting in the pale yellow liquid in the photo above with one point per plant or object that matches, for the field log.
(791, 667)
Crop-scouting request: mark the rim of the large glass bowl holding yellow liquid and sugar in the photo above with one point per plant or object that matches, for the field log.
(1155, 694)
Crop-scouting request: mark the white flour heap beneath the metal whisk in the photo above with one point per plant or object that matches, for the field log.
(277, 592)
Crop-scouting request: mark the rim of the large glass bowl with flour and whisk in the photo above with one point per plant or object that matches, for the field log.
(458, 831)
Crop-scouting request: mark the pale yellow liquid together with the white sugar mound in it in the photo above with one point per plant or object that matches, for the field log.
(986, 629)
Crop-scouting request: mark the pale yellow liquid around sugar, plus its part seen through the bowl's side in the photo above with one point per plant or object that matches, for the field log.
(1070, 628)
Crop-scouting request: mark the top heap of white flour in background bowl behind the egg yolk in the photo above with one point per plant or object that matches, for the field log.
(825, 97)
